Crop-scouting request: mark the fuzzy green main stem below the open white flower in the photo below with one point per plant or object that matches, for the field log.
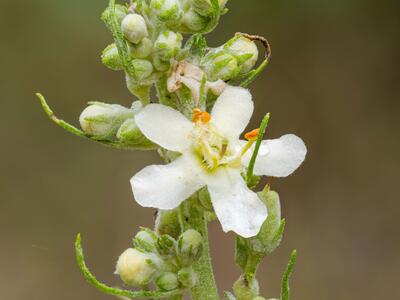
(206, 288)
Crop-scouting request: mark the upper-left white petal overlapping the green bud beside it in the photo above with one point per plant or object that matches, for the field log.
(165, 126)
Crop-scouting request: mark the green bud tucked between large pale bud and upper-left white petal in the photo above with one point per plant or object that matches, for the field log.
(130, 134)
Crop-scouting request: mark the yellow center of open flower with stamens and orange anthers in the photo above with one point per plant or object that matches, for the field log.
(212, 148)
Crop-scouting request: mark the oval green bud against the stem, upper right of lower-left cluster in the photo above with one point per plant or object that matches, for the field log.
(190, 245)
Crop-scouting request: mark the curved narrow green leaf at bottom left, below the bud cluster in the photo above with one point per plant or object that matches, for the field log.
(115, 291)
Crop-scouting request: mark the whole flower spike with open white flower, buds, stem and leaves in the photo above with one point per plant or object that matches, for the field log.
(197, 122)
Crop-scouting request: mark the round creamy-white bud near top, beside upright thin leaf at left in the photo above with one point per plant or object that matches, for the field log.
(134, 28)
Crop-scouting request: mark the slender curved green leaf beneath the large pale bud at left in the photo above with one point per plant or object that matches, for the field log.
(72, 129)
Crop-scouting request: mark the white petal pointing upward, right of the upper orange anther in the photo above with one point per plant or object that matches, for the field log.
(232, 111)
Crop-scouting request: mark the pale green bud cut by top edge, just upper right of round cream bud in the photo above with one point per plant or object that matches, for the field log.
(168, 11)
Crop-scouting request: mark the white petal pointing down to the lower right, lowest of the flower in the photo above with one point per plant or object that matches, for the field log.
(237, 207)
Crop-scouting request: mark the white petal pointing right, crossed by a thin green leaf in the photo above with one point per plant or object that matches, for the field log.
(278, 157)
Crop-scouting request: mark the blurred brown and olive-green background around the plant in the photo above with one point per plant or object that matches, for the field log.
(333, 80)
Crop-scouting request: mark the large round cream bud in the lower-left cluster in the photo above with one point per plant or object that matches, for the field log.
(137, 268)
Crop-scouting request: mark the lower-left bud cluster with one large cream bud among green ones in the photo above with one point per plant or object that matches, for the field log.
(161, 259)
